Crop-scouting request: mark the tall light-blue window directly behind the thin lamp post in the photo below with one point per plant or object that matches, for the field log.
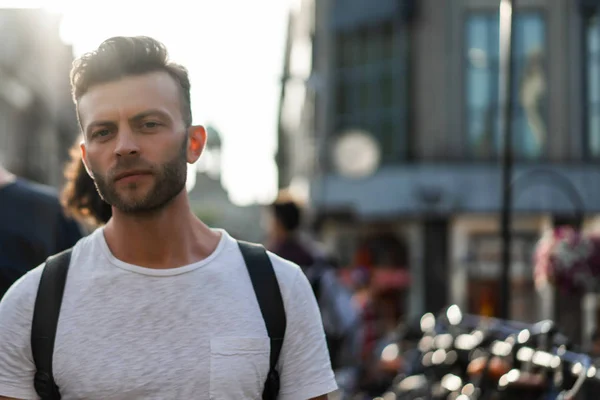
(529, 86)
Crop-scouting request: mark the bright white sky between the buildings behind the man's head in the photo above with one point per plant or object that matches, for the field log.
(234, 52)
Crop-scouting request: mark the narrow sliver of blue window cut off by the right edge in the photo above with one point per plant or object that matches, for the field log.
(593, 85)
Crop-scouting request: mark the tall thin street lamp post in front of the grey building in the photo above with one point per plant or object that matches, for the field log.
(504, 100)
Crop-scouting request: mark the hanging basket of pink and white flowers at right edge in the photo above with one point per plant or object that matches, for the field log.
(568, 260)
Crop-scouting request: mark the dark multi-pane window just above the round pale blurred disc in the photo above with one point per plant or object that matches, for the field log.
(370, 86)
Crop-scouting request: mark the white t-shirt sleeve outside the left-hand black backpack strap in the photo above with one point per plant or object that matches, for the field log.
(17, 369)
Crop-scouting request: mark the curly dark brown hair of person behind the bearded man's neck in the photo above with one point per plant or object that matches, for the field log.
(79, 196)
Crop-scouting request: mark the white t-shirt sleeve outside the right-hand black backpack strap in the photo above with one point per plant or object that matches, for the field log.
(304, 365)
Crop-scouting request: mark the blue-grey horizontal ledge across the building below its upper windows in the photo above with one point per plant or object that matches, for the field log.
(445, 189)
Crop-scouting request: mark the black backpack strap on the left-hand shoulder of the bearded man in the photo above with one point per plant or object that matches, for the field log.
(45, 321)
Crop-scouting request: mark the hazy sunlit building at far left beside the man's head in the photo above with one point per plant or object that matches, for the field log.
(37, 117)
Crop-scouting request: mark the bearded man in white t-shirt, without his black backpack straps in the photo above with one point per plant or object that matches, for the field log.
(157, 305)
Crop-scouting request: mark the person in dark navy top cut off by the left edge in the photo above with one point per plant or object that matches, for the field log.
(32, 227)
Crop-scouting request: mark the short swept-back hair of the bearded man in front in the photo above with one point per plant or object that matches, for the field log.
(121, 56)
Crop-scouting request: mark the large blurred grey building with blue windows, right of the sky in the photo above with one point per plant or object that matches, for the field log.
(421, 77)
